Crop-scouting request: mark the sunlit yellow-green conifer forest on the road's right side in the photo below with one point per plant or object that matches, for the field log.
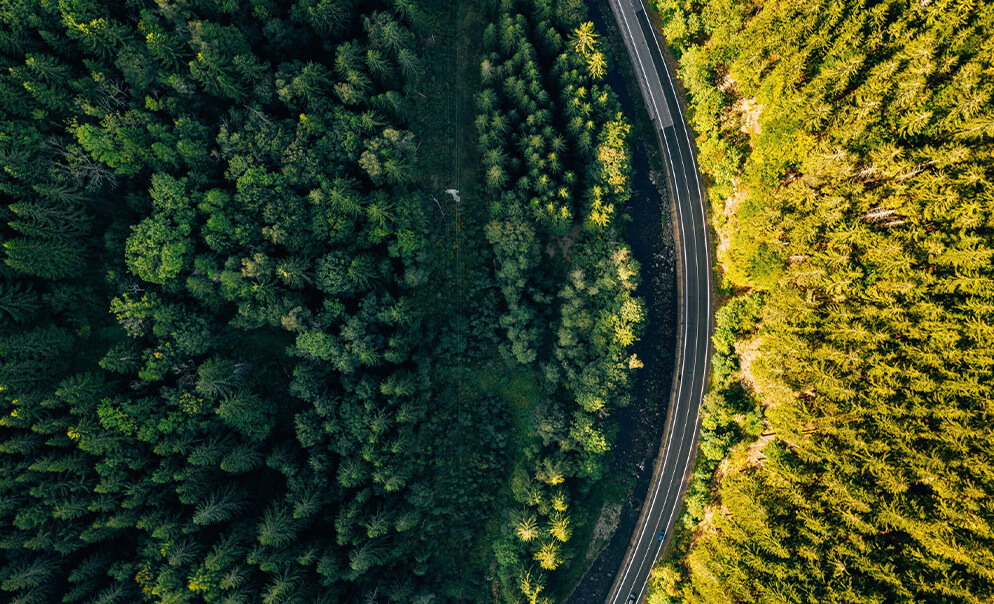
(850, 145)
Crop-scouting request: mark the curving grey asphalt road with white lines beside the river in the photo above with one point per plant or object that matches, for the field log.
(679, 443)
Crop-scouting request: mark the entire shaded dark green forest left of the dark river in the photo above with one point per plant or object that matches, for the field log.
(238, 361)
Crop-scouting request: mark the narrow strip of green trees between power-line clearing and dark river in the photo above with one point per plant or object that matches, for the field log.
(553, 144)
